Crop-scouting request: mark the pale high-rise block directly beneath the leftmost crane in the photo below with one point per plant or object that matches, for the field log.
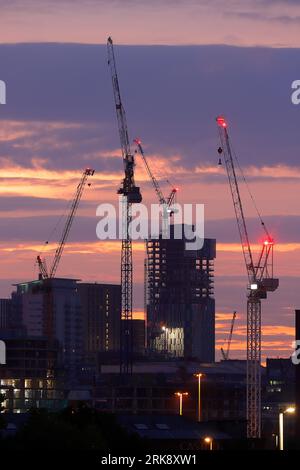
(51, 308)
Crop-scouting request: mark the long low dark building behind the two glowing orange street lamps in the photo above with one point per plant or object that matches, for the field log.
(152, 387)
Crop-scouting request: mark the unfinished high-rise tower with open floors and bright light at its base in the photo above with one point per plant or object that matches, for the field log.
(179, 298)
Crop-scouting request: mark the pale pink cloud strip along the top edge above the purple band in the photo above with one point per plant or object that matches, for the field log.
(131, 21)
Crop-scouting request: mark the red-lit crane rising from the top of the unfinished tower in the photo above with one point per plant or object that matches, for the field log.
(166, 203)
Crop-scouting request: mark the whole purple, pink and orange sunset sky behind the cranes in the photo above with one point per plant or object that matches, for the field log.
(180, 64)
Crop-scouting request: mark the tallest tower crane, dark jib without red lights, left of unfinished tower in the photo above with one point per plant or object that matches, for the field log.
(130, 194)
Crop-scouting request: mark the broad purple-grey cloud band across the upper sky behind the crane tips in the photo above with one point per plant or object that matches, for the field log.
(173, 111)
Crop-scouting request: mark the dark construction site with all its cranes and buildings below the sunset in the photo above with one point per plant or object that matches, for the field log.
(70, 341)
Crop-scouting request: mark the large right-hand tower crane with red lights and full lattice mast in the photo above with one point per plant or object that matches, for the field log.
(261, 281)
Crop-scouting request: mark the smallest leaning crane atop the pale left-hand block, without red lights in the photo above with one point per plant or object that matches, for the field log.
(44, 274)
